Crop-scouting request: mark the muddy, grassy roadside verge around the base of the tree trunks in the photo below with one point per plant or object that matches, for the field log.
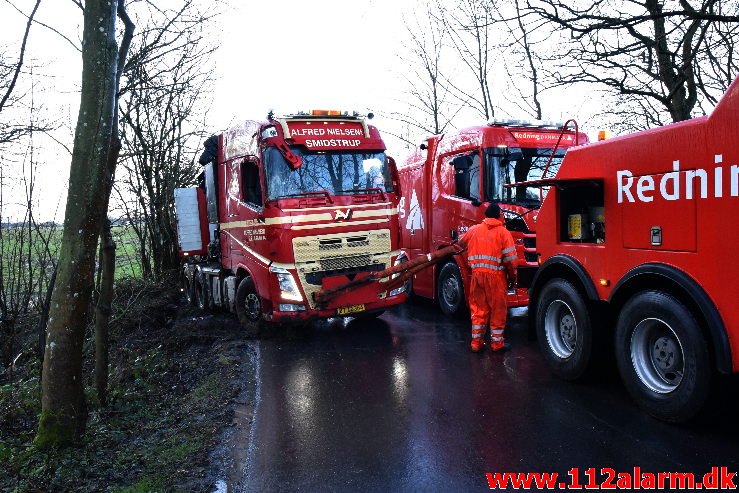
(178, 379)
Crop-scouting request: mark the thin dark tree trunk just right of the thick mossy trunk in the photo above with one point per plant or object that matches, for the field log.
(102, 314)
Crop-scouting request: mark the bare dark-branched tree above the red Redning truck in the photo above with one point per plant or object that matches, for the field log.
(650, 52)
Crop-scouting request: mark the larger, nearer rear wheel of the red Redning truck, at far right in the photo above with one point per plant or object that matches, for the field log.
(662, 356)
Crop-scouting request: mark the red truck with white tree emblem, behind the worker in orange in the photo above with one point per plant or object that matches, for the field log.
(449, 180)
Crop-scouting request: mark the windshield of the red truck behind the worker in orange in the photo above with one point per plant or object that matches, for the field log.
(530, 166)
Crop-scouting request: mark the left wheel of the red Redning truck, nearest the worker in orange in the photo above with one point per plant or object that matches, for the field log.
(564, 329)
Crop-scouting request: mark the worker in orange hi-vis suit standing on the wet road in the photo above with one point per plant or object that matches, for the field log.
(491, 255)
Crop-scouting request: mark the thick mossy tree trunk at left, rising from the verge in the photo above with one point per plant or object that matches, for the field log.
(63, 407)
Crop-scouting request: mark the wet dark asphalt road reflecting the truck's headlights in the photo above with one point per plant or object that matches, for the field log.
(400, 404)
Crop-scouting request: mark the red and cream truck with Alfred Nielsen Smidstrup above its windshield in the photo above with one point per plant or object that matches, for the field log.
(286, 208)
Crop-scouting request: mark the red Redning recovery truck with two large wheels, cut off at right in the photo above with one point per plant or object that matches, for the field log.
(634, 240)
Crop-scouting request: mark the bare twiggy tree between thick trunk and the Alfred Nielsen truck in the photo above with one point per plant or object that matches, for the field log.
(168, 79)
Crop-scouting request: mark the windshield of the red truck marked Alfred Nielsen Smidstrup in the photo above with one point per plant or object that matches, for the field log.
(336, 172)
